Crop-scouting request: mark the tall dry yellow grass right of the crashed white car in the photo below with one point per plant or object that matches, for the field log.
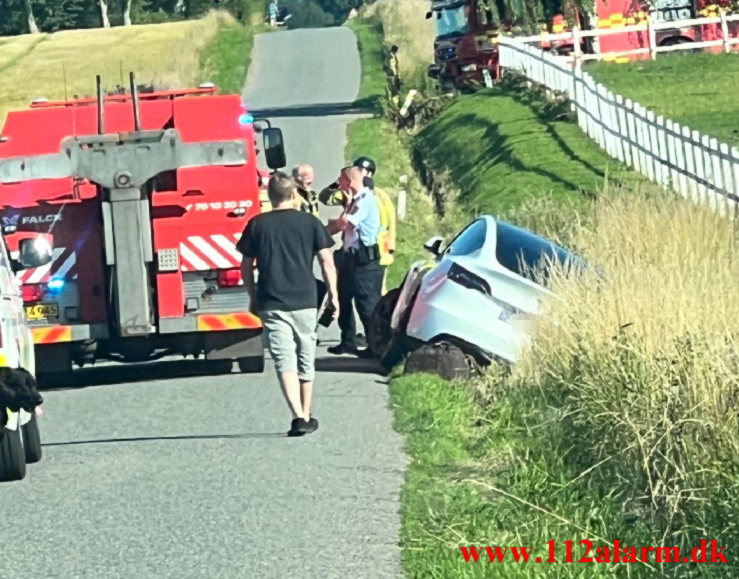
(647, 360)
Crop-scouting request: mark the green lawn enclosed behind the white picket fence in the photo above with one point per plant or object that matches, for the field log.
(697, 90)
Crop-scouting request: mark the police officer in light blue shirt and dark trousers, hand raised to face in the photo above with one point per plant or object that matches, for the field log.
(360, 273)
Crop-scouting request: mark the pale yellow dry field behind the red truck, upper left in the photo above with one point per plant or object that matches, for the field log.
(167, 55)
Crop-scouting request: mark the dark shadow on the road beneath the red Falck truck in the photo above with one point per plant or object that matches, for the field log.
(113, 373)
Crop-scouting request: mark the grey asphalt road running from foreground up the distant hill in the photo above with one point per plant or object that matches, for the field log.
(157, 472)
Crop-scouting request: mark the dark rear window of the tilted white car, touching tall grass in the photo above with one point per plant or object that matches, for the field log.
(529, 255)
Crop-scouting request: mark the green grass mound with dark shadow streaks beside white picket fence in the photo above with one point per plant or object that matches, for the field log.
(502, 149)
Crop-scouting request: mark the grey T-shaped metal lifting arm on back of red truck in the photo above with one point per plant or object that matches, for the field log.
(122, 164)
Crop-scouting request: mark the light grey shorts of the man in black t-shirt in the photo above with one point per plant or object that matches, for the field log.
(291, 337)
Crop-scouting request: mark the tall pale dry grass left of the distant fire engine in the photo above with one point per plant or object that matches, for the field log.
(405, 25)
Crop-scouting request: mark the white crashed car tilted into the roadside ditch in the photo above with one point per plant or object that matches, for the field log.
(473, 294)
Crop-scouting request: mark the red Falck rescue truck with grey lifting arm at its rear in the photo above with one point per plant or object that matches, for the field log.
(143, 197)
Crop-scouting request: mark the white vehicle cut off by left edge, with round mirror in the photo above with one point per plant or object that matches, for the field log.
(20, 442)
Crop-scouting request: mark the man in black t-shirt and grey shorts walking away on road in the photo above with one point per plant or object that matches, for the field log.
(283, 242)
